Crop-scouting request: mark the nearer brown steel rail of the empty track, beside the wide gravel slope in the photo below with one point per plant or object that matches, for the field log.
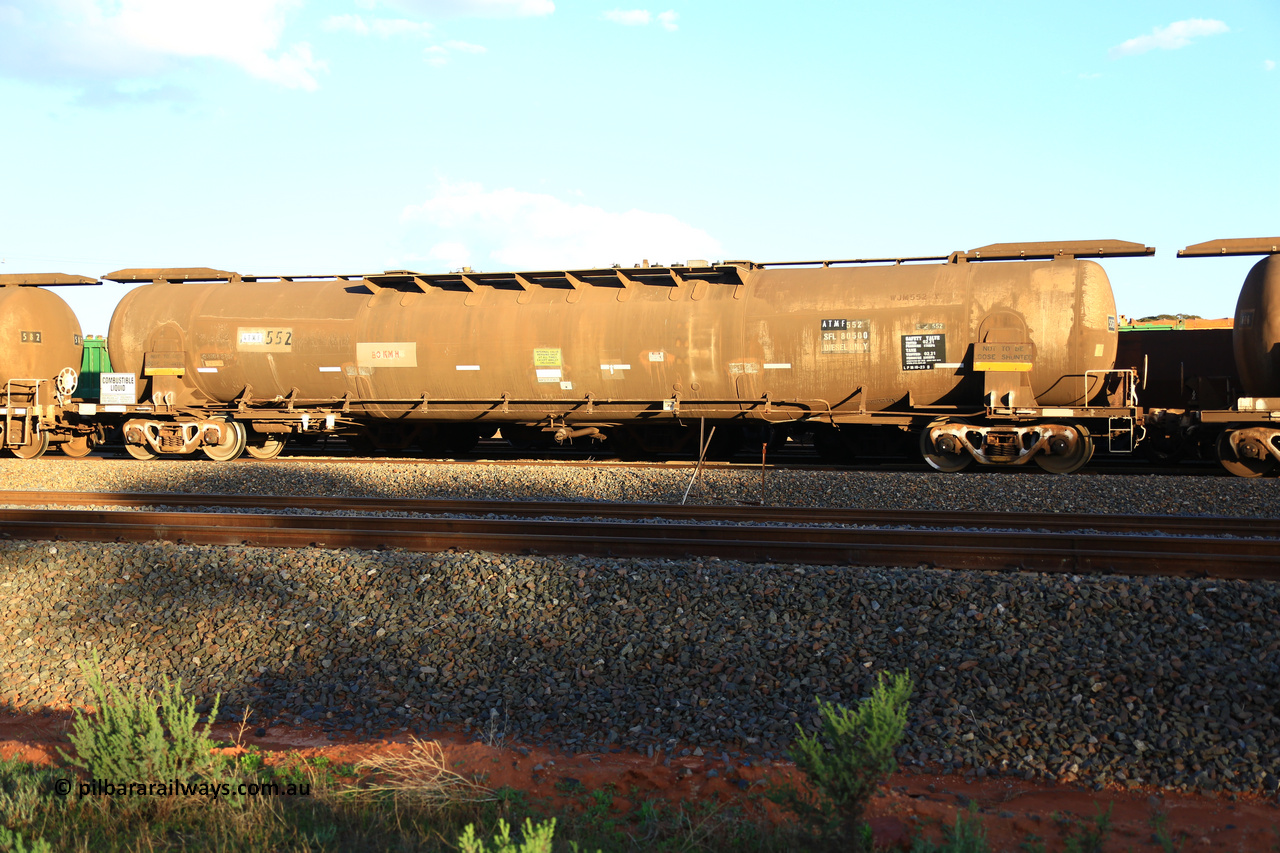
(941, 549)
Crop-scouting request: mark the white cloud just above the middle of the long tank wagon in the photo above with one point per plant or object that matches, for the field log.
(536, 231)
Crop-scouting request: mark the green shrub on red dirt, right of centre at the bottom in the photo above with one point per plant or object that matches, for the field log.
(849, 760)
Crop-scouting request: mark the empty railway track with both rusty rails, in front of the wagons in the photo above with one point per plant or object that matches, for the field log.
(1008, 542)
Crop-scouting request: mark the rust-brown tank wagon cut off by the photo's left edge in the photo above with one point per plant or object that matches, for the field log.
(40, 358)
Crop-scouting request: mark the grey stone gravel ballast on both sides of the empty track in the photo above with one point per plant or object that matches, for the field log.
(1167, 682)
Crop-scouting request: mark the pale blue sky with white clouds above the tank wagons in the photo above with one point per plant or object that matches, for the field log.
(348, 136)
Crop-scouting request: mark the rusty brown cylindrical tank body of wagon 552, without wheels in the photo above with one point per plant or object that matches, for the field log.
(641, 343)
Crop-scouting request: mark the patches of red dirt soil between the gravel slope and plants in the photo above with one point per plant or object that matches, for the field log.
(1013, 811)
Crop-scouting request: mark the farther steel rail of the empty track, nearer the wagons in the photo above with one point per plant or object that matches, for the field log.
(749, 514)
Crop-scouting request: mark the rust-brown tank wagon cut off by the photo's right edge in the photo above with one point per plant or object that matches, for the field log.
(1249, 432)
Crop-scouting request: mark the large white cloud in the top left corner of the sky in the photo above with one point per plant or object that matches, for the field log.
(116, 40)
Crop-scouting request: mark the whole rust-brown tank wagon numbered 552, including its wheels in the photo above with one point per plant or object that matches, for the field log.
(1002, 355)
